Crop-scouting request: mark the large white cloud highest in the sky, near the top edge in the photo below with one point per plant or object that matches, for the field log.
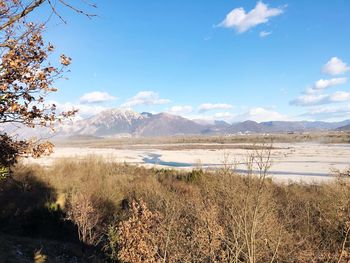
(242, 21)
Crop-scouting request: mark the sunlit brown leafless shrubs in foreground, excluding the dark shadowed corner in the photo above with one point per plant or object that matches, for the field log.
(218, 217)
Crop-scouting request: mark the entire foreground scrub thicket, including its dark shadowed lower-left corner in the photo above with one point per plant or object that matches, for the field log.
(123, 213)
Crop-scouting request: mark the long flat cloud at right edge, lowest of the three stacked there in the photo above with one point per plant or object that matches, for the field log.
(318, 99)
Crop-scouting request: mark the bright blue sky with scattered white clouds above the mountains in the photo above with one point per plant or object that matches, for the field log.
(229, 60)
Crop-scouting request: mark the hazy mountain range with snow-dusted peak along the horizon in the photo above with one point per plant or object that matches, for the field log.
(117, 123)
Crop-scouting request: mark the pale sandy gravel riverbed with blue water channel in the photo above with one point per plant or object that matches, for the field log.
(308, 162)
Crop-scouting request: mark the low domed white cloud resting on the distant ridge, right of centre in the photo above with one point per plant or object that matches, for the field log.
(260, 114)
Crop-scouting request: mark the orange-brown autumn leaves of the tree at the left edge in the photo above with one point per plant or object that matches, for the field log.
(27, 77)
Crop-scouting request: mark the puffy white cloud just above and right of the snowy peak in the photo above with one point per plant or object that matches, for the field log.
(145, 98)
